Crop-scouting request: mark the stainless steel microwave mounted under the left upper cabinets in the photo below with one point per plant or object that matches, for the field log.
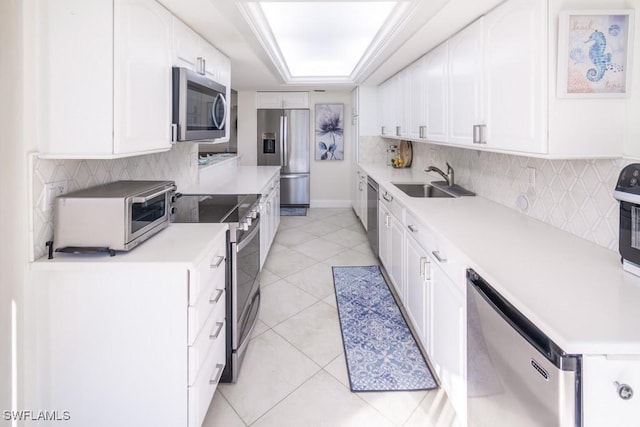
(199, 107)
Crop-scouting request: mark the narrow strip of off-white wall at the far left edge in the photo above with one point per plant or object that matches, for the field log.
(13, 193)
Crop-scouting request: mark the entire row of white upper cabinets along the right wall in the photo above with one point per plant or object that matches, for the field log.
(497, 91)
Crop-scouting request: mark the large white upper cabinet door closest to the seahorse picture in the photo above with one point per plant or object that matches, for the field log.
(515, 82)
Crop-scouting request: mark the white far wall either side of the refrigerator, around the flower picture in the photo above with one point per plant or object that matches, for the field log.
(329, 179)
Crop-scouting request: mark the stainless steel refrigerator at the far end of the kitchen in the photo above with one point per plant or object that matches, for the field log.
(283, 140)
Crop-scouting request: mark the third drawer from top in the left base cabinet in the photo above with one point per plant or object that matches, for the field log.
(212, 331)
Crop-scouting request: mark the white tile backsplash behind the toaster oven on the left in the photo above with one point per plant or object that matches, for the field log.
(174, 164)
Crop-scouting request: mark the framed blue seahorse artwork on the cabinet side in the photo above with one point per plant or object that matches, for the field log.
(594, 53)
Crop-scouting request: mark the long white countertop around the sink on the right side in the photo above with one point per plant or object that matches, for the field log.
(572, 289)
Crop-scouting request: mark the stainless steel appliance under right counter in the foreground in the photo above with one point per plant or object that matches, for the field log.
(516, 376)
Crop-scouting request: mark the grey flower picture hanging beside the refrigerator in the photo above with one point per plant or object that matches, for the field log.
(329, 130)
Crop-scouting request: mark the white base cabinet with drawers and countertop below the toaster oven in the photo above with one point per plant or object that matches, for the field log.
(133, 343)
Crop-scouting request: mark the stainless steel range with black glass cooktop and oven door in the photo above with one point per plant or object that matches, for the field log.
(241, 213)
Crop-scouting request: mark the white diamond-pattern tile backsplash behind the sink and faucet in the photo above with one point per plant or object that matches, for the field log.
(572, 195)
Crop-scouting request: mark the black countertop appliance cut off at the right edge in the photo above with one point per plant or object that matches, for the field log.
(628, 193)
